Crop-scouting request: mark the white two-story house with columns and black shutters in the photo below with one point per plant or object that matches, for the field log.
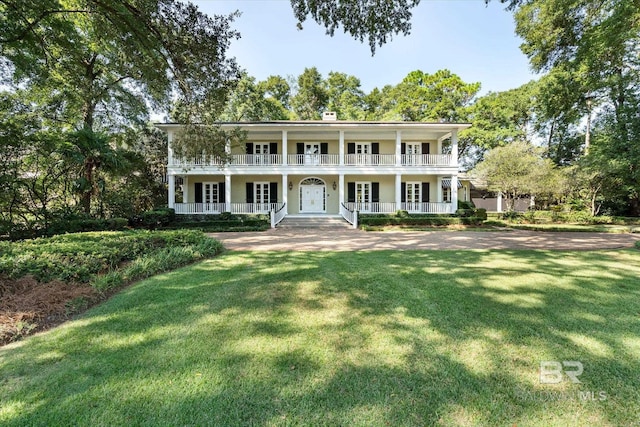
(324, 167)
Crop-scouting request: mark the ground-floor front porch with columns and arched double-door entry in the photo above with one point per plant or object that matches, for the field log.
(319, 194)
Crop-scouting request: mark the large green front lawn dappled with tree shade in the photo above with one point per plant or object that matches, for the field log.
(345, 338)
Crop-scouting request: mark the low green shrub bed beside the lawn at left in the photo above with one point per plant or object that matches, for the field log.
(81, 257)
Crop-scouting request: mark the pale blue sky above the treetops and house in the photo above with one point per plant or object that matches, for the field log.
(471, 39)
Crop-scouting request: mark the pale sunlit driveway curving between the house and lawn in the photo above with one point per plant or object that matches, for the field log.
(325, 239)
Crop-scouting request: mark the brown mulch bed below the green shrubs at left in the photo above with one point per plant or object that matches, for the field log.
(28, 306)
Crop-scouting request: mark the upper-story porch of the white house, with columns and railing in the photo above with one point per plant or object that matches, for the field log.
(313, 144)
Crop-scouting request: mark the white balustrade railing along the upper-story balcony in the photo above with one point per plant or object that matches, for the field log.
(319, 160)
